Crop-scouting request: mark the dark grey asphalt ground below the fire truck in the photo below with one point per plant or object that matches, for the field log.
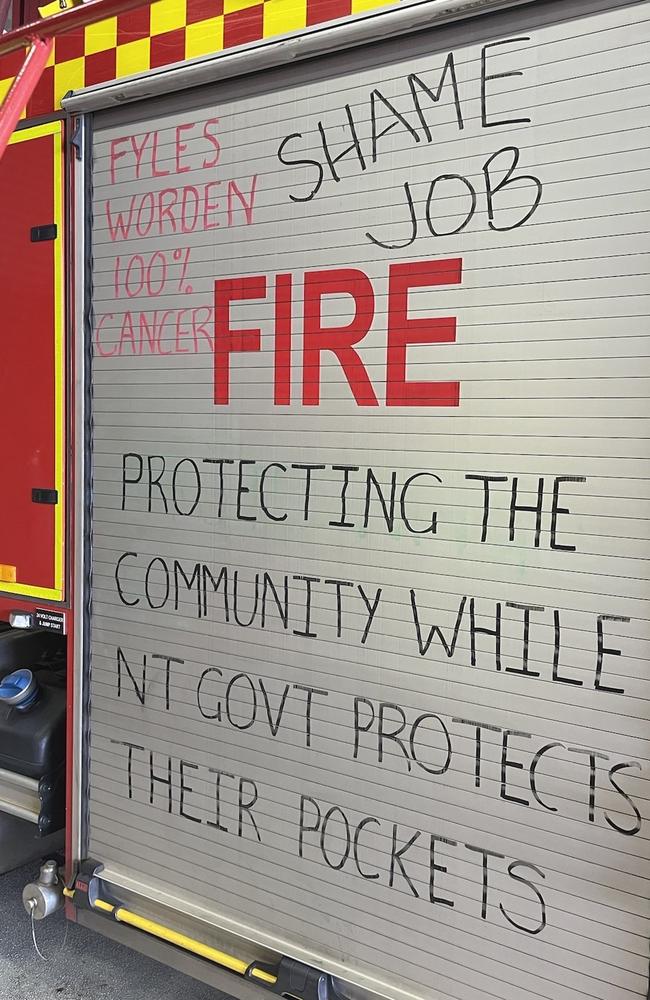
(78, 963)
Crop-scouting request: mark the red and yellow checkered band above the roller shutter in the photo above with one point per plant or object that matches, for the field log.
(165, 32)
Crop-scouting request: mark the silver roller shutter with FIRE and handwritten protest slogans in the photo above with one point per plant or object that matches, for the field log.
(370, 633)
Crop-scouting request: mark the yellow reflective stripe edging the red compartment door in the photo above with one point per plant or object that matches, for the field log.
(55, 129)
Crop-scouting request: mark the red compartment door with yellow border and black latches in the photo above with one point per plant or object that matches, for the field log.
(32, 556)
